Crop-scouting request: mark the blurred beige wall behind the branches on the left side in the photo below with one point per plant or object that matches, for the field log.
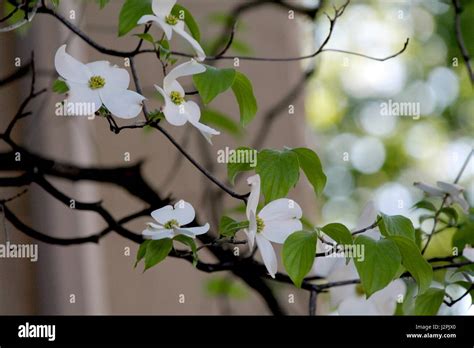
(101, 277)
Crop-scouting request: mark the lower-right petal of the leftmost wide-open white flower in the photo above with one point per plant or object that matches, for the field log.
(122, 102)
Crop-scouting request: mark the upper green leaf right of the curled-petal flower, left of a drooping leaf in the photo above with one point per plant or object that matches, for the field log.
(213, 82)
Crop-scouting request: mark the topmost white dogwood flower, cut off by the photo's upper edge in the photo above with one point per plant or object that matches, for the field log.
(169, 23)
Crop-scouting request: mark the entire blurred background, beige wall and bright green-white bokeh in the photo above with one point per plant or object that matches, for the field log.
(366, 156)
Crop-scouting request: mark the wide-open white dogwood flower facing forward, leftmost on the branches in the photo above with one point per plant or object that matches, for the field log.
(97, 83)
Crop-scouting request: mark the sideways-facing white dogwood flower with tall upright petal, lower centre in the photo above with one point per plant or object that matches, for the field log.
(274, 223)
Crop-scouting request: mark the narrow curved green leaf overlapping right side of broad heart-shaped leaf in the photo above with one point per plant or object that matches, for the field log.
(414, 262)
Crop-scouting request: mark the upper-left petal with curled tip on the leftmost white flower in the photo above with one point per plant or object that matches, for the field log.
(70, 68)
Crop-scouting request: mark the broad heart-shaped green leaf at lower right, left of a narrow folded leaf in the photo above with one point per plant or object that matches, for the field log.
(379, 265)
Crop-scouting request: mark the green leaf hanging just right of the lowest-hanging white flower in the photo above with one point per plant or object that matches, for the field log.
(298, 255)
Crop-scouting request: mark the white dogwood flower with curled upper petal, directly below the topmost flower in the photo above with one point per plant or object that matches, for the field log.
(177, 109)
